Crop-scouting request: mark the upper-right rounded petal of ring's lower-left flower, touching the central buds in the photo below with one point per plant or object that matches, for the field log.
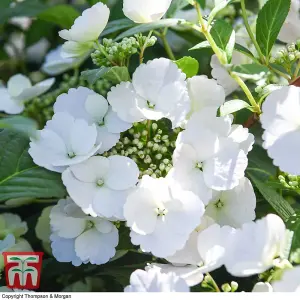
(123, 173)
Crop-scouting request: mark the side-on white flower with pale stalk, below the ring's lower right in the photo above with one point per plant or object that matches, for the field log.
(205, 251)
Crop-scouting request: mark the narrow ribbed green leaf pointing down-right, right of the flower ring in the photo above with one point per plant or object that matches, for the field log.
(281, 206)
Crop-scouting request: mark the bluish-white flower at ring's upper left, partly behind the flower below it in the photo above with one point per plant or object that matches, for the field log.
(83, 103)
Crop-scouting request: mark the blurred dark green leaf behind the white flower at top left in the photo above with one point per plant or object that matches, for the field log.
(62, 15)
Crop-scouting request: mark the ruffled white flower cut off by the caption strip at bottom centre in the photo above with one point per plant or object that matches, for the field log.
(153, 280)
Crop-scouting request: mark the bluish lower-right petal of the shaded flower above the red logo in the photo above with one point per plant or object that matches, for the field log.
(96, 247)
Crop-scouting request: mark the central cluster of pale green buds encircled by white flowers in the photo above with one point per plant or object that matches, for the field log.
(150, 145)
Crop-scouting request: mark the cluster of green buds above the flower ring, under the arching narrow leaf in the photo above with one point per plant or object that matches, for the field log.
(111, 53)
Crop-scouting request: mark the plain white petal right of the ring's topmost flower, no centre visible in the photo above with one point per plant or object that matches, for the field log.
(205, 92)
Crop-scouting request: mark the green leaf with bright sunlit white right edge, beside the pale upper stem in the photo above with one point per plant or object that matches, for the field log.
(224, 36)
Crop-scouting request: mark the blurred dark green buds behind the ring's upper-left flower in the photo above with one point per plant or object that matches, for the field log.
(41, 108)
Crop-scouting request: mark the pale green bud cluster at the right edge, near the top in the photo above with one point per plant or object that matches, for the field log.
(287, 56)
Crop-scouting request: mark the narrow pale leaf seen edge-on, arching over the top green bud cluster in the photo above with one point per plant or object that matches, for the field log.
(148, 27)
